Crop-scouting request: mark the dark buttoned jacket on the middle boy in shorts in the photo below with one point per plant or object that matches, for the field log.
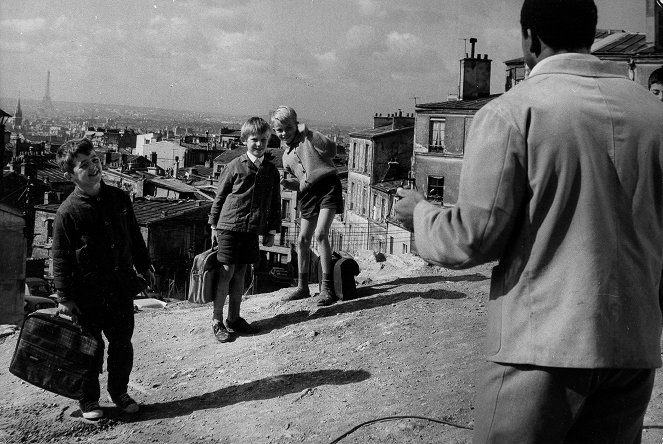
(248, 199)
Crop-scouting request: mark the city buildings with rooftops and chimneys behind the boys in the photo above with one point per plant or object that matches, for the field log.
(172, 178)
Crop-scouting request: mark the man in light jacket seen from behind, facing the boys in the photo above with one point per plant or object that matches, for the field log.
(562, 184)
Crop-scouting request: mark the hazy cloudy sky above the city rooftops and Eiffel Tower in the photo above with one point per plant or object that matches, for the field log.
(332, 60)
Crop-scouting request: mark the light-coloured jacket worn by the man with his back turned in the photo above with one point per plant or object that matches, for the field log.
(562, 184)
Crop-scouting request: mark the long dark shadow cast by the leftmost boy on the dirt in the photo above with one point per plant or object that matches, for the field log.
(266, 388)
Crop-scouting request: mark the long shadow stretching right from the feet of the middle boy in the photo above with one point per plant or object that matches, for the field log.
(361, 303)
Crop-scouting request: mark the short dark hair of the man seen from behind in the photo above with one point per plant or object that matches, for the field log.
(561, 24)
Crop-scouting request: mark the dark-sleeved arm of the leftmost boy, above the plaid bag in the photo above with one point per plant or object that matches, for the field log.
(64, 259)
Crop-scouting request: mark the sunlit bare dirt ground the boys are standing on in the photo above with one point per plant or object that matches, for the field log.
(410, 345)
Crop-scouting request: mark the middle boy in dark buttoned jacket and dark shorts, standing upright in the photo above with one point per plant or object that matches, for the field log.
(247, 204)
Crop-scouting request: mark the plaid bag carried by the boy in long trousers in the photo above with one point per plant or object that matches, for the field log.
(55, 354)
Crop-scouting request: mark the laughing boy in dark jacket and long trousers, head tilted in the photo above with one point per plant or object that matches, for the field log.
(96, 245)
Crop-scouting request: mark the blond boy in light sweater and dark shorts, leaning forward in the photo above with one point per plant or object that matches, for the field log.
(308, 156)
